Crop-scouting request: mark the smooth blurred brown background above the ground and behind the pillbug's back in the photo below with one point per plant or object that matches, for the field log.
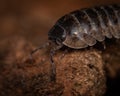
(32, 19)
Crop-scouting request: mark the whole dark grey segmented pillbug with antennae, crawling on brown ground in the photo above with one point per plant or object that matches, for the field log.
(83, 28)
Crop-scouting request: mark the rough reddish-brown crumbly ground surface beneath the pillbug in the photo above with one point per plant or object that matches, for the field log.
(79, 72)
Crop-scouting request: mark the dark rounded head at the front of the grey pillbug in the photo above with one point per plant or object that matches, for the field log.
(57, 34)
